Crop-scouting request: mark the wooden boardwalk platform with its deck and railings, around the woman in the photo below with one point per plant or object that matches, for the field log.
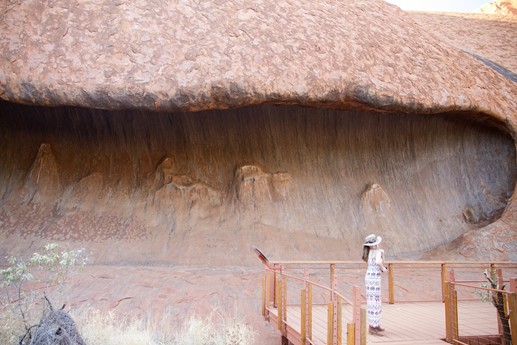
(453, 309)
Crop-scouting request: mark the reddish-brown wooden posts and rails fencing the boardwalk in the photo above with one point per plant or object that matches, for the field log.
(356, 328)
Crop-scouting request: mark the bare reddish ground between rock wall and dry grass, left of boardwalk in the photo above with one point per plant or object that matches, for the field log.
(170, 294)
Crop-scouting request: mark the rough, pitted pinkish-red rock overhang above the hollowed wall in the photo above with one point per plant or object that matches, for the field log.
(362, 55)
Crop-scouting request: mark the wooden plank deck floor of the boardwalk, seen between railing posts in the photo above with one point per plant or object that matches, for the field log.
(406, 323)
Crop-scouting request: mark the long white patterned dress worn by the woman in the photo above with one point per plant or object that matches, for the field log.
(372, 281)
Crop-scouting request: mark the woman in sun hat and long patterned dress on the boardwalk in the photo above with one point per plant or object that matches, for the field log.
(374, 256)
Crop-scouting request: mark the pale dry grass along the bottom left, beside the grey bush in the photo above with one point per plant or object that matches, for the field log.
(98, 328)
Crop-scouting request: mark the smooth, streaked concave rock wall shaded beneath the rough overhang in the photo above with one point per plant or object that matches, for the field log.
(202, 188)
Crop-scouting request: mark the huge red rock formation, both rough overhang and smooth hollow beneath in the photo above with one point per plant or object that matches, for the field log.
(187, 132)
